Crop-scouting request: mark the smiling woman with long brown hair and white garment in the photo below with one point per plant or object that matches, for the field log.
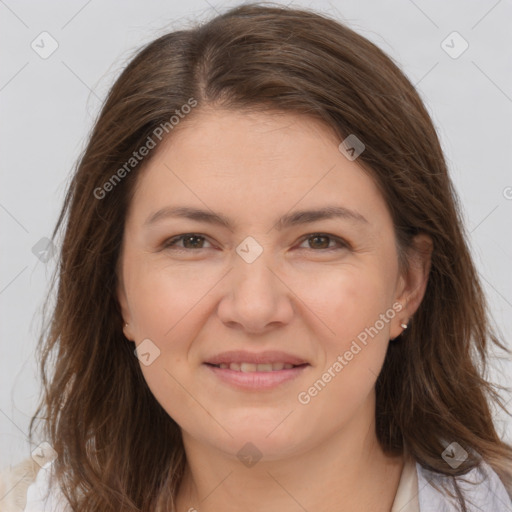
(266, 299)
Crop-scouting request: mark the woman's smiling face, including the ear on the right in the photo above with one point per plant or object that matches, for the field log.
(263, 293)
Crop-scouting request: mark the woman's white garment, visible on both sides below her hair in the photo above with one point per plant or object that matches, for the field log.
(415, 492)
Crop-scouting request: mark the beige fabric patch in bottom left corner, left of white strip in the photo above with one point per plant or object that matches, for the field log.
(14, 484)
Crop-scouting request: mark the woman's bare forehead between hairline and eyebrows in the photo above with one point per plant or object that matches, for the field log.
(250, 165)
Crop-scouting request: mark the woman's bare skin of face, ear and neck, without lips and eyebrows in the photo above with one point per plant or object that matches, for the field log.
(304, 296)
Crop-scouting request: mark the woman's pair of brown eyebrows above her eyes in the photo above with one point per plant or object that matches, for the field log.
(288, 220)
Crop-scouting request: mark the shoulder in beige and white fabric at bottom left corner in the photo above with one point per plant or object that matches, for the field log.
(26, 488)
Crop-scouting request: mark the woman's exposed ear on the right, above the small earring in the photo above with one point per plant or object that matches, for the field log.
(413, 283)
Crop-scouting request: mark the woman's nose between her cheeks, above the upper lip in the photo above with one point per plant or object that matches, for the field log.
(255, 298)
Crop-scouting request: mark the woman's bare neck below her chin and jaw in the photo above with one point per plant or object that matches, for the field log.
(349, 472)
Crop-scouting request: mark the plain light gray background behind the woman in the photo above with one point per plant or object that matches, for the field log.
(48, 107)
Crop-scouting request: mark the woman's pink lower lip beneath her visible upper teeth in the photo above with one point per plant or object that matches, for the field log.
(256, 380)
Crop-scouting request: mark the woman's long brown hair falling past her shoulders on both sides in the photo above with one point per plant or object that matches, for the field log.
(117, 448)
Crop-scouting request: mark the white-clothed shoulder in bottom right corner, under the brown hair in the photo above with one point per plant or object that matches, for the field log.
(481, 488)
